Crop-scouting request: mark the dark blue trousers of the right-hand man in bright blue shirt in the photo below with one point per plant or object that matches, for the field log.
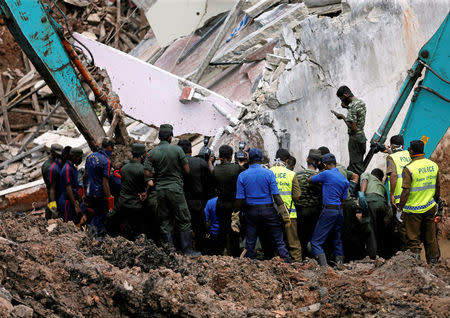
(329, 223)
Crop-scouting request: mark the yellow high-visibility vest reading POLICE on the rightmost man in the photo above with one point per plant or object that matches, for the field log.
(423, 186)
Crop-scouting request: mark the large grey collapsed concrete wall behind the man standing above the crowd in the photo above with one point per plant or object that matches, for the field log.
(369, 47)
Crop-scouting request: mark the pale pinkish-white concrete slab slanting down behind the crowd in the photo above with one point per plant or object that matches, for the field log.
(151, 94)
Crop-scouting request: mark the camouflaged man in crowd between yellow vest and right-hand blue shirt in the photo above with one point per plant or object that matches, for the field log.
(310, 203)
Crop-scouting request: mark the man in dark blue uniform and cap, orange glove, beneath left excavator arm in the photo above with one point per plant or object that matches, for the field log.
(97, 174)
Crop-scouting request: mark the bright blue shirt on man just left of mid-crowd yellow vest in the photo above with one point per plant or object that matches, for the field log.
(256, 185)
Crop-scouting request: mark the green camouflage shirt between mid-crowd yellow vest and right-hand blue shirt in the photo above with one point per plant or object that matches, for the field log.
(311, 192)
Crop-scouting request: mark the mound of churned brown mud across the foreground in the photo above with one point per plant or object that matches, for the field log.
(52, 269)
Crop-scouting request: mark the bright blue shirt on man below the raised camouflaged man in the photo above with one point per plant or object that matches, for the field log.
(334, 186)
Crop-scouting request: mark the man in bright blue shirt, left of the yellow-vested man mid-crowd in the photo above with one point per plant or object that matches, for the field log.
(257, 187)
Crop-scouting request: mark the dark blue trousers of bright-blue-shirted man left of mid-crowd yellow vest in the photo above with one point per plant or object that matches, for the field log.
(267, 218)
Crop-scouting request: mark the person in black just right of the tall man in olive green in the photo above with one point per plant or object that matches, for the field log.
(197, 190)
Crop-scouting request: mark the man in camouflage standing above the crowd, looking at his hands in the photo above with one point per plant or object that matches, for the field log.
(355, 121)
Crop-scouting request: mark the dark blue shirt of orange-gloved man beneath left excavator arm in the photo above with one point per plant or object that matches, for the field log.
(98, 165)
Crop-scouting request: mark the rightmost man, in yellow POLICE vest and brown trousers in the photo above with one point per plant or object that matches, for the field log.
(421, 190)
